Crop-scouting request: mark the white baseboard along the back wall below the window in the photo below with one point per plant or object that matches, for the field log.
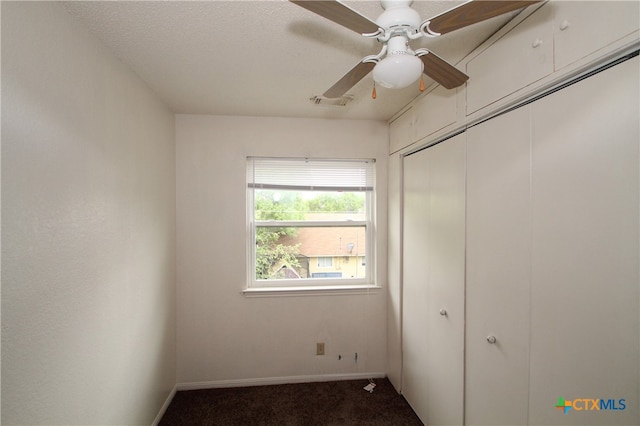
(277, 381)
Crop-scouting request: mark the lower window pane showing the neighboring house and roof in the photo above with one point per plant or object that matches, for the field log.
(310, 252)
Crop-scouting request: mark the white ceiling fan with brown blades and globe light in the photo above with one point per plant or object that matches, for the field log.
(396, 65)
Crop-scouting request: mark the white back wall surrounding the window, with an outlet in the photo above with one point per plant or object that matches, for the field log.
(224, 335)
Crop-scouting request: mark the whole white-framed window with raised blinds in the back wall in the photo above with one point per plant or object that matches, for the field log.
(310, 222)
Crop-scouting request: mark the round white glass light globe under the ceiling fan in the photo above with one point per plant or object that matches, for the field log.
(398, 71)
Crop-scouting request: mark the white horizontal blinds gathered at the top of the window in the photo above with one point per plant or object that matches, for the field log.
(310, 174)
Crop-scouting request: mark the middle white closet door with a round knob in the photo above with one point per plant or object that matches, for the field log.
(498, 270)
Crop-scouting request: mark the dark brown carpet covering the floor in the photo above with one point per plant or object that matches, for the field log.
(326, 403)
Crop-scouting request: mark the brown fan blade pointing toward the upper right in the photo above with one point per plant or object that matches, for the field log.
(470, 13)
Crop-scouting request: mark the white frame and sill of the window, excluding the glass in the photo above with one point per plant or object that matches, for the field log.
(341, 285)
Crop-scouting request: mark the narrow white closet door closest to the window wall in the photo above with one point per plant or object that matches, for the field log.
(433, 282)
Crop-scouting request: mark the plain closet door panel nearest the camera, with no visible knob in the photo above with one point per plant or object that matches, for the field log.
(585, 256)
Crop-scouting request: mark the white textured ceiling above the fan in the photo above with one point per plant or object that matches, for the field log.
(258, 58)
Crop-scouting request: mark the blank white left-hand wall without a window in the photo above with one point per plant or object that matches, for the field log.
(88, 229)
